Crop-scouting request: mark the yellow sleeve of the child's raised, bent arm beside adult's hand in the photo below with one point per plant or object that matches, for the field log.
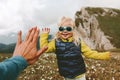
(44, 42)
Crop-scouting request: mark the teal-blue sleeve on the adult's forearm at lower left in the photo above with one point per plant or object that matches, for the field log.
(10, 68)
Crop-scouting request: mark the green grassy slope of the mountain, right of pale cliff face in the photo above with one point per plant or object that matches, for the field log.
(110, 25)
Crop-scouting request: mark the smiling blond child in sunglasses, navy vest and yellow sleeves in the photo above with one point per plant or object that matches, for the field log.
(69, 50)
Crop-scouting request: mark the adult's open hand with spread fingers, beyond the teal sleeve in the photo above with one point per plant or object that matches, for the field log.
(27, 48)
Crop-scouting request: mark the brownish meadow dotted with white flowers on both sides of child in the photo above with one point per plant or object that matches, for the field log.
(46, 68)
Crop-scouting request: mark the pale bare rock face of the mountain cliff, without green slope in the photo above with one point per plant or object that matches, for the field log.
(90, 32)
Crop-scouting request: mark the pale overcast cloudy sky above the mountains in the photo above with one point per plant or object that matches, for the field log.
(18, 15)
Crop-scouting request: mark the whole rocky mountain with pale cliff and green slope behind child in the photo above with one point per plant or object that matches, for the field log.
(99, 27)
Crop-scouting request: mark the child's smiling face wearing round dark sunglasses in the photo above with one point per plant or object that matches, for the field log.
(65, 32)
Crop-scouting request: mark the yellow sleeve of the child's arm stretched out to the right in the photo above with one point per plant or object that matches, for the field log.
(87, 52)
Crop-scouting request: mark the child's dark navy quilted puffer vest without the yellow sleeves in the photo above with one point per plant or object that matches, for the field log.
(70, 60)
